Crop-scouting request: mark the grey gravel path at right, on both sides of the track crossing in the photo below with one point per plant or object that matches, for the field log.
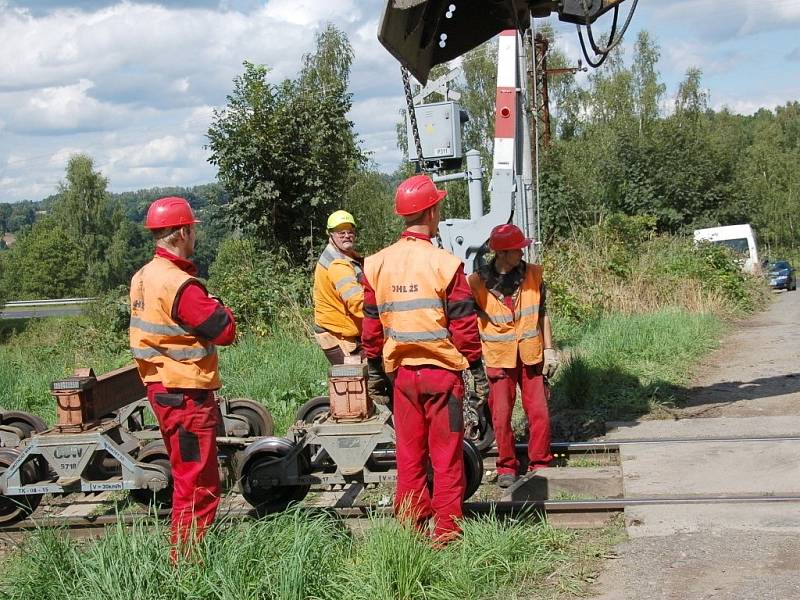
(756, 372)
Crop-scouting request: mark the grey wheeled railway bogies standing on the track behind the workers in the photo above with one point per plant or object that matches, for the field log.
(106, 439)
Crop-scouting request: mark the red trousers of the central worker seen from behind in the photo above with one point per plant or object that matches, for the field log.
(429, 427)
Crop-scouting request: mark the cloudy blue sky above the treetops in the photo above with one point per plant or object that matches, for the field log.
(134, 84)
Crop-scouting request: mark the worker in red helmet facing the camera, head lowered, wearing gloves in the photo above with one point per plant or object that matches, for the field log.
(517, 347)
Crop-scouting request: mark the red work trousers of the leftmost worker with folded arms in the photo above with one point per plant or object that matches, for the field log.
(188, 420)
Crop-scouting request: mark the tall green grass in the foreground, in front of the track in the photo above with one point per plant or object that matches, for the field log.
(297, 555)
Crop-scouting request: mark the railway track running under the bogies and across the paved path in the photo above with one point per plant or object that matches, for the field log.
(100, 513)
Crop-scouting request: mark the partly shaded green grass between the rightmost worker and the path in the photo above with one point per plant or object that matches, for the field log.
(626, 366)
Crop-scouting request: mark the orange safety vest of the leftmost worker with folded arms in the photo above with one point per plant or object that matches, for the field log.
(164, 350)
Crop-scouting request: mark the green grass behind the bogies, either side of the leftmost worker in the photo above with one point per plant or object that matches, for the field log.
(281, 371)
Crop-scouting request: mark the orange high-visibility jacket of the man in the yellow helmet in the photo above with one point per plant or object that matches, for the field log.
(338, 295)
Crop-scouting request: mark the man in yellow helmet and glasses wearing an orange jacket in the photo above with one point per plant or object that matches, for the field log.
(338, 293)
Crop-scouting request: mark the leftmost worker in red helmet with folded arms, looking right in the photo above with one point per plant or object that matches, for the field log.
(174, 330)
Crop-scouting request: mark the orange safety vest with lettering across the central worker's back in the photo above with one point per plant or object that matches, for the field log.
(410, 279)
